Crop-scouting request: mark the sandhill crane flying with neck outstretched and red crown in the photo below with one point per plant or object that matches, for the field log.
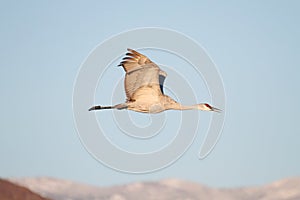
(144, 88)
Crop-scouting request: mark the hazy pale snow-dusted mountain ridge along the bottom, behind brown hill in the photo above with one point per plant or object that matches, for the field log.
(169, 189)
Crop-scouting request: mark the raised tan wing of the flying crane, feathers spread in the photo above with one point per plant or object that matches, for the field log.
(141, 72)
